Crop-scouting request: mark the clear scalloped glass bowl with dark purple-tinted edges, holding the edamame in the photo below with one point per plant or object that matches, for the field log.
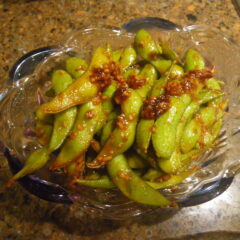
(19, 100)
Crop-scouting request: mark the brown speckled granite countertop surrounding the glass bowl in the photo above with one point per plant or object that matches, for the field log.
(26, 25)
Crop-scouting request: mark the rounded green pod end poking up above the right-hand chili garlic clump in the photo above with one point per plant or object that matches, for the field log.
(193, 60)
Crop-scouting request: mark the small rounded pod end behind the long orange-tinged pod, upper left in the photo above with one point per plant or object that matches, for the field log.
(76, 66)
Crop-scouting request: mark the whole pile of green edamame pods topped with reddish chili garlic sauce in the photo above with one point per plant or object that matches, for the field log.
(133, 119)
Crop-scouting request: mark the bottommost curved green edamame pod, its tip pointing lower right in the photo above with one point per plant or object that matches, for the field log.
(133, 186)
